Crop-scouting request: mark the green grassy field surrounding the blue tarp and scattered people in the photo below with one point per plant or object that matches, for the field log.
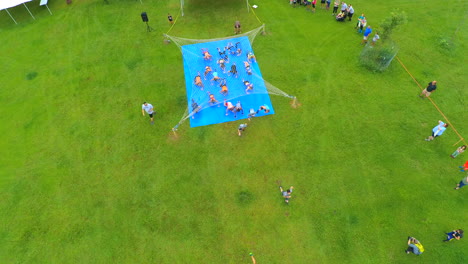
(86, 179)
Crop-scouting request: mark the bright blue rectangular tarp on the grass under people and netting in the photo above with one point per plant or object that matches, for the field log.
(194, 63)
